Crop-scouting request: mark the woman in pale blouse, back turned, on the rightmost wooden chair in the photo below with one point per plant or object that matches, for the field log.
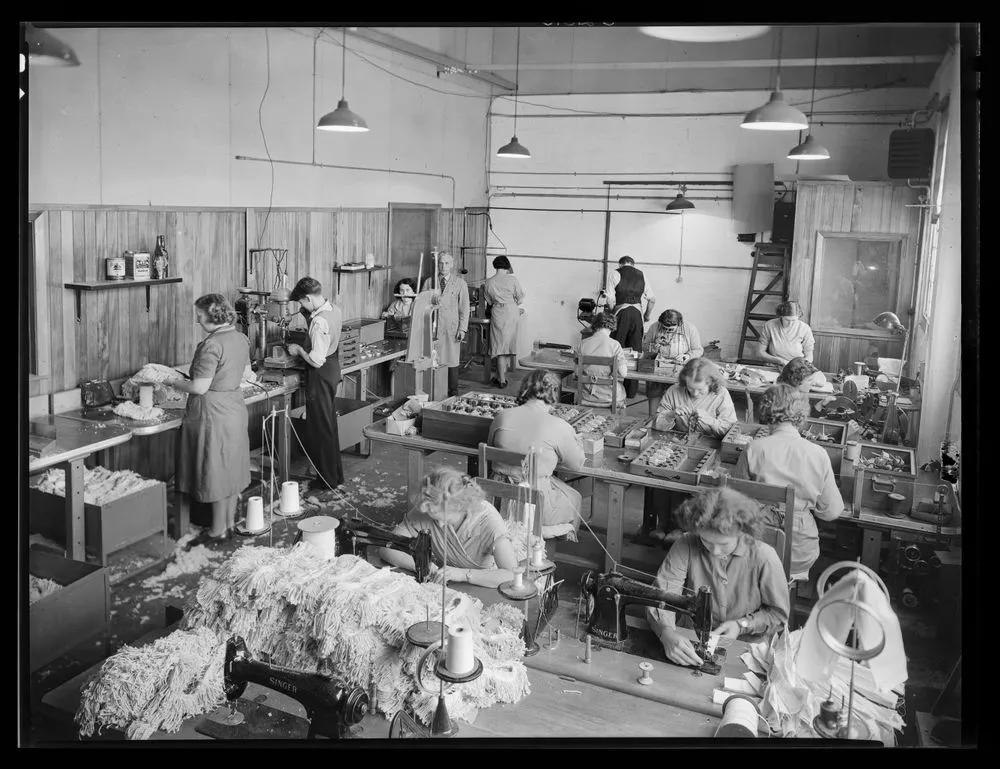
(786, 458)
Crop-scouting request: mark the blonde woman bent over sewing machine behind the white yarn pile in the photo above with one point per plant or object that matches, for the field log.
(479, 549)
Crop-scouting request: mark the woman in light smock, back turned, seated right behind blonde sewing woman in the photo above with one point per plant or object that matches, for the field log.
(531, 425)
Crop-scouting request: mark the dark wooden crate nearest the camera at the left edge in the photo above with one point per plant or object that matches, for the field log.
(64, 619)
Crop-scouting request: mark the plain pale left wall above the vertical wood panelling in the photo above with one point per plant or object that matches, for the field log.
(156, 116)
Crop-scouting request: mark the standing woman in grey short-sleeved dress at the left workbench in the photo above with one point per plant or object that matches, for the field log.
(213, 448)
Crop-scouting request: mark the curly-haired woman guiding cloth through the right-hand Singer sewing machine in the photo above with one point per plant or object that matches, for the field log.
(720, 550)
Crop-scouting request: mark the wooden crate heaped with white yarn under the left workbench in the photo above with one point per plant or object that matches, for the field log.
(108, 527)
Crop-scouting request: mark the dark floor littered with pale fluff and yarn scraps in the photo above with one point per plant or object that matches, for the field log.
(376, 489)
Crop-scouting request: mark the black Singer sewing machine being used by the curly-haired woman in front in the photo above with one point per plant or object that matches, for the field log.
(608, 595)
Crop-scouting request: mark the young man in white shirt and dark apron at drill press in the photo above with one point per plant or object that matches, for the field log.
(322, 377)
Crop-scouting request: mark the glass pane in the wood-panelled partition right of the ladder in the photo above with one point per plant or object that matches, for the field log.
(859, 279)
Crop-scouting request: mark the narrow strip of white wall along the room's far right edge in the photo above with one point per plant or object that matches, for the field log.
(938, 351)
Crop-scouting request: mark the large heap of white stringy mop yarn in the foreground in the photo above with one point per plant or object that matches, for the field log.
(331, 615)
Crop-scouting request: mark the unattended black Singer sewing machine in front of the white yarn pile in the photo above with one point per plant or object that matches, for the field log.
(332, 706)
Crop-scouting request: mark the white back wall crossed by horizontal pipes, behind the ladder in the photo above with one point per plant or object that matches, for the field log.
(712, 297)
